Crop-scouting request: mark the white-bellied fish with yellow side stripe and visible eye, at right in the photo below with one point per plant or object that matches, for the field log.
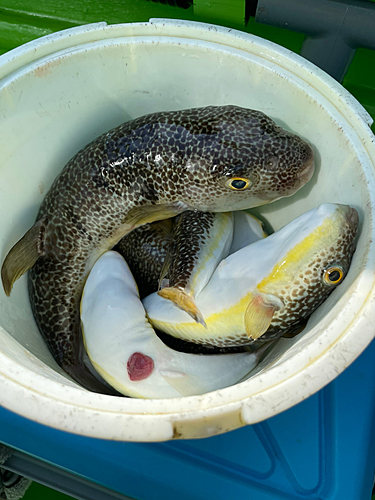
(271, 287)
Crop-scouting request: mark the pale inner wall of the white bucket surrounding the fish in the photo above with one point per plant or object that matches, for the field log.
(54, 106)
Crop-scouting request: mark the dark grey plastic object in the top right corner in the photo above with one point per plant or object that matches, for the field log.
(333, 29)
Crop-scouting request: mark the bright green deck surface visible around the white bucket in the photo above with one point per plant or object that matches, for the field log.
(24, 20)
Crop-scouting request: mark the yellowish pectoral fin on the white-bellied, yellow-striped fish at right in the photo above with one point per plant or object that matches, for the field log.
(259, 313)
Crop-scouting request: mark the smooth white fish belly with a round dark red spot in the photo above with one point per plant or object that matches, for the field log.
(127, 353)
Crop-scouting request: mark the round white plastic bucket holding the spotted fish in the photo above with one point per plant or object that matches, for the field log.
(63, 90)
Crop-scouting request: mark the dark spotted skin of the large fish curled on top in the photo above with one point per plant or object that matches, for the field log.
(151, 168)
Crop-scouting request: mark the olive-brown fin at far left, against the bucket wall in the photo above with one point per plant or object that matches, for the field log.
(23, 255)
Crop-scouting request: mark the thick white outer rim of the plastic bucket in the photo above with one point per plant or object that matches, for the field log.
(201, 414)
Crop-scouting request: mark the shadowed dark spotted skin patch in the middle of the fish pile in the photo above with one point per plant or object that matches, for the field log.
(145, 250)
